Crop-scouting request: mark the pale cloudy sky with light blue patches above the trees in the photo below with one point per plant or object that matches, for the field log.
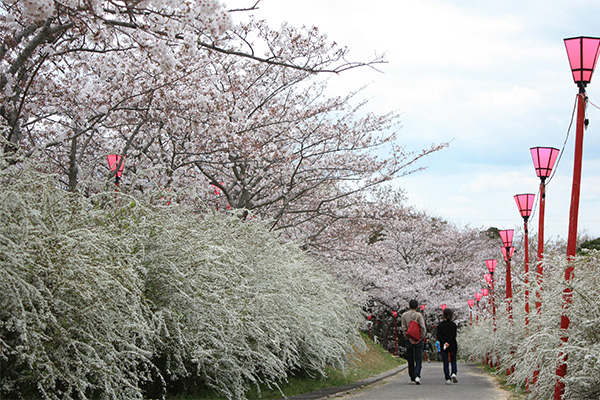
(492, 77)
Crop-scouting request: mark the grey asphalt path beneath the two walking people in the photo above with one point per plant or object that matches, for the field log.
(473, 384)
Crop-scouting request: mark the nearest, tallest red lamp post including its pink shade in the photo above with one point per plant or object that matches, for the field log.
(583, 55)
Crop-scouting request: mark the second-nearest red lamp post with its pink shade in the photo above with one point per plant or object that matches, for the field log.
(543, 161)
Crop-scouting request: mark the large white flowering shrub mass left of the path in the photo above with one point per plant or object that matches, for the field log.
(126, 300)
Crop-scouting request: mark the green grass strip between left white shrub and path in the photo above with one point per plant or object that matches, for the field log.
(374, 361)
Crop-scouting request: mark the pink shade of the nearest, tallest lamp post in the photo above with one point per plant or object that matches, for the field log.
(583, 55)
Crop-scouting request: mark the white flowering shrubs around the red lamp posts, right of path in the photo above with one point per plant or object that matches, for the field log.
(531, 351)
